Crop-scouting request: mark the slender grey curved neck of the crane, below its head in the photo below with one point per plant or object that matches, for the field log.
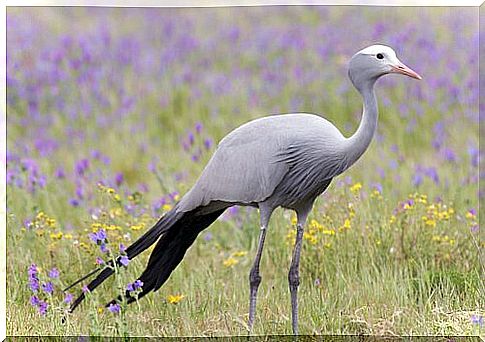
(360, 140)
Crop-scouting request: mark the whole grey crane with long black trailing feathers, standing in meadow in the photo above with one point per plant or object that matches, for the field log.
(284, 160)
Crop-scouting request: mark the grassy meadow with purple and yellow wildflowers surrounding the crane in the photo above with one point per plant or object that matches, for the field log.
(112, 114)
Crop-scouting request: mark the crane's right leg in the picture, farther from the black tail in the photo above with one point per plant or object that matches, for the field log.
(294, 274)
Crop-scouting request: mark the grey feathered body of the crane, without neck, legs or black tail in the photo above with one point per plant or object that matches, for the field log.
(295, 149)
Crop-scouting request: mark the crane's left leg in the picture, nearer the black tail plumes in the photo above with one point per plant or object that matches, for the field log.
(254, 277)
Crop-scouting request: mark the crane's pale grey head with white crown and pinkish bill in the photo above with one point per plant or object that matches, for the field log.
(374, 61)
